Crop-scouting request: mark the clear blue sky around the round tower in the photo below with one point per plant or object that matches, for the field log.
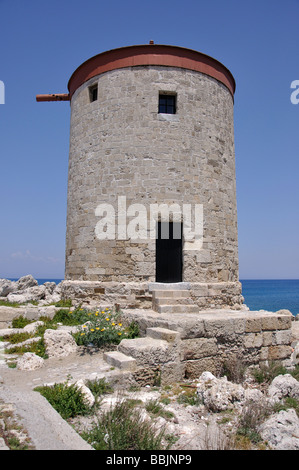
(42, 42)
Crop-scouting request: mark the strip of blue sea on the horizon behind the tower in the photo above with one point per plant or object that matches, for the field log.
(263, 294)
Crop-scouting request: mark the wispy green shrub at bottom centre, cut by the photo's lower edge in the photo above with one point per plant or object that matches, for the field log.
(123, 428)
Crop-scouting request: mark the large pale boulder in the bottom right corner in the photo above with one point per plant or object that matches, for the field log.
(281, 430)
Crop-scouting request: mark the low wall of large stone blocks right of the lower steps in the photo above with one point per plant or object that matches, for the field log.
(211, 339)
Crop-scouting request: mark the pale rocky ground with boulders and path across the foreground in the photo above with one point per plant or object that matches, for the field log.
(204, 414)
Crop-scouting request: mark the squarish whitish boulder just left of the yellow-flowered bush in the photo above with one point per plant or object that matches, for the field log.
(59, 343)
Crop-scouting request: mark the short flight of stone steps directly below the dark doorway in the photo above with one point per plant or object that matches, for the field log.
(168, 299)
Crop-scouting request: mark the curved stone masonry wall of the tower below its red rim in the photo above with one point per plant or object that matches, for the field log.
(121, 146)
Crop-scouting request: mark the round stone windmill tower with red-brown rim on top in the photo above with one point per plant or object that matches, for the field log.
(151, 187)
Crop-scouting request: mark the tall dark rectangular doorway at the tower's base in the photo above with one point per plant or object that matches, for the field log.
(169, 252)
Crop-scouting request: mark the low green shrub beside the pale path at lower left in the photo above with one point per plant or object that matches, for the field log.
(66, 399)
